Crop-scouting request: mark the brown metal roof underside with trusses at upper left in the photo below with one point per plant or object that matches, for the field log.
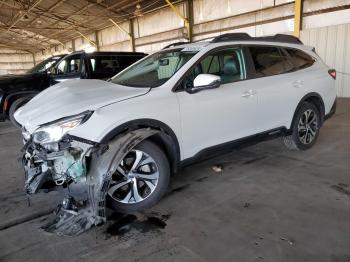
(34, 25)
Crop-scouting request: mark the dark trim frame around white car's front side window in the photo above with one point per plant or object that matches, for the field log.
(248, 65)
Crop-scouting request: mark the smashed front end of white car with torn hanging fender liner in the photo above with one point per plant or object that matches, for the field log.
(83, 167)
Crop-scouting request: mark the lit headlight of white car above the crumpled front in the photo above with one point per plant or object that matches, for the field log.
(53, 132)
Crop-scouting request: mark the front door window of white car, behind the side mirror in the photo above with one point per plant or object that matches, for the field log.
(228, 64)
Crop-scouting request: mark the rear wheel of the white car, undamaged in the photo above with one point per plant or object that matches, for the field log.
(304, 133)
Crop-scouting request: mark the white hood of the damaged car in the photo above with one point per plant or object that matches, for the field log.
(70, 98)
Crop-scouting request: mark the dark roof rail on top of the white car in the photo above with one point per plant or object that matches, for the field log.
(246, 37)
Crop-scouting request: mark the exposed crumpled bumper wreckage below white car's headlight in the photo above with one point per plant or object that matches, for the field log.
(59, 164)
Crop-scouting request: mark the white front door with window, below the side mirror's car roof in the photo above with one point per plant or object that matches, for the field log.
(216, 116)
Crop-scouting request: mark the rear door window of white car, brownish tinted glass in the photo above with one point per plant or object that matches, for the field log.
(269, 61)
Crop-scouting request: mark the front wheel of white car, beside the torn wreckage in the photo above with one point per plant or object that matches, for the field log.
(122, 199)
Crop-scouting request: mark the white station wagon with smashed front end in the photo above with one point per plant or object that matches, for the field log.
(202, 99)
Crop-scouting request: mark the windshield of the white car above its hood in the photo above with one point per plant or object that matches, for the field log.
(155, 70)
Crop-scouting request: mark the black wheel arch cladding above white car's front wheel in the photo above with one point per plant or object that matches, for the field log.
(166, 139)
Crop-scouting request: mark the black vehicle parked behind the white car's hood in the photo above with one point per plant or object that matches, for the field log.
(15, 91)
